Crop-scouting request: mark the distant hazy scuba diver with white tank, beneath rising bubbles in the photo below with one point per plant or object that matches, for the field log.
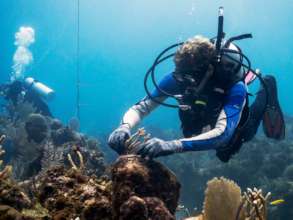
(30, 91)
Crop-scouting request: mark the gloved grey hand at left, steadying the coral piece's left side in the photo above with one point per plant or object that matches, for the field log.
(118, 137)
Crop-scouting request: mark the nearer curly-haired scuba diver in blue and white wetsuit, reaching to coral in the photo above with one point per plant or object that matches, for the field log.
(210, 84)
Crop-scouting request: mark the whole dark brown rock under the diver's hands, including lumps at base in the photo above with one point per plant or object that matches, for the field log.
(145, 187)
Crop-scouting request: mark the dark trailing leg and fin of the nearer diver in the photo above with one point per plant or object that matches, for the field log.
(265, 107)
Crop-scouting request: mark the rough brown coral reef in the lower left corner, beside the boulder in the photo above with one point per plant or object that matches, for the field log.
(58, 193)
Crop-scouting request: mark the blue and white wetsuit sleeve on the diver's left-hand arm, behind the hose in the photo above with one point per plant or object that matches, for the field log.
(137, 112)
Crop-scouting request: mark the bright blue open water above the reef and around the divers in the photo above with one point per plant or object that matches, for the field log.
(120, 39)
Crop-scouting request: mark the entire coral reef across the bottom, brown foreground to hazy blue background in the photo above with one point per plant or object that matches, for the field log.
(64, 173)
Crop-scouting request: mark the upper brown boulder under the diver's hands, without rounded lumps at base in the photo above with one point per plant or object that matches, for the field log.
(135, 176)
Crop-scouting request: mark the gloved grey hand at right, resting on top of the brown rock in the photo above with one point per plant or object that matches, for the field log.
(156, 147)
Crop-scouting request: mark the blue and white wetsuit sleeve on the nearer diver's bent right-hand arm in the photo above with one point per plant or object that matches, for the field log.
(226, 124)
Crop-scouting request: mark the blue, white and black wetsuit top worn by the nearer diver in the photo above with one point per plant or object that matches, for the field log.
(217, 131)
